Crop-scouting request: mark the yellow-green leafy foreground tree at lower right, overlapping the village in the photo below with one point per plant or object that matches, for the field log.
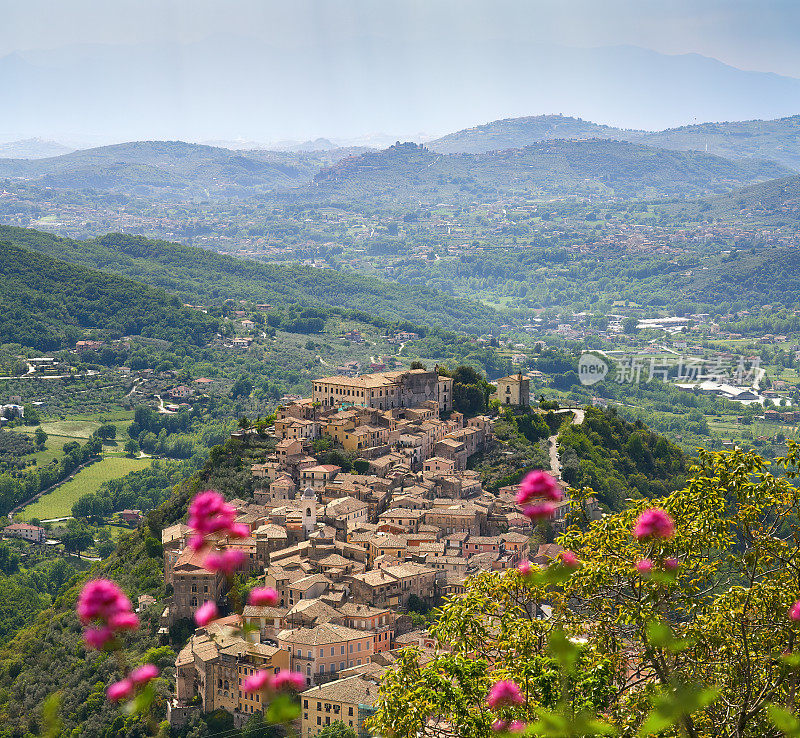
(694, 645)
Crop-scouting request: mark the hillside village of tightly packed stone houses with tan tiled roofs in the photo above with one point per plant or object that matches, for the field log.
(355, 556)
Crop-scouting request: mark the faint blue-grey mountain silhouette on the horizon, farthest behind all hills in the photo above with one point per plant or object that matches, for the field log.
(228, 87)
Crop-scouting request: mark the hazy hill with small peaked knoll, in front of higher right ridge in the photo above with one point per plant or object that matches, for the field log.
(411, 173)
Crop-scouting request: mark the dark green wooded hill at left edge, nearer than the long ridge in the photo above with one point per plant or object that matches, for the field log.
(46, 303)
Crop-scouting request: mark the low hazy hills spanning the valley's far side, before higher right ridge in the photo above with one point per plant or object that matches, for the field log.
(163, 169)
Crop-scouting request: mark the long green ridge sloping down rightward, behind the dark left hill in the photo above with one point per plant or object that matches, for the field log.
(200, 276)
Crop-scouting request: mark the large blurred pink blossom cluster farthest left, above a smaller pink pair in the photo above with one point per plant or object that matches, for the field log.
(103, 605)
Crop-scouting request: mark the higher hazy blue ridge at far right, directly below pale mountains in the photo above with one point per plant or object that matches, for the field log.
(778, 140)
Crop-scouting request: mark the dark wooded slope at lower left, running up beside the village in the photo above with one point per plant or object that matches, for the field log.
(49, 655)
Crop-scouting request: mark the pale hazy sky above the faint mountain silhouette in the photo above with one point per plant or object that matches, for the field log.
(758, 35)
